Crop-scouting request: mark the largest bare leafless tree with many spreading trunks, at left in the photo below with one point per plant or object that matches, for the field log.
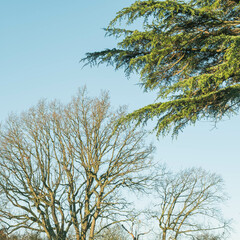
(63, 166)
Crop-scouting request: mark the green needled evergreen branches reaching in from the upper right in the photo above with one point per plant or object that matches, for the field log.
(187, 51)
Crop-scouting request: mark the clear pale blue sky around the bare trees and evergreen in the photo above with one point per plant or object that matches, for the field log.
(41, 44)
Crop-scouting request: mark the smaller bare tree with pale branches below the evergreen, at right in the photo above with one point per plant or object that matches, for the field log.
(188, 203)
